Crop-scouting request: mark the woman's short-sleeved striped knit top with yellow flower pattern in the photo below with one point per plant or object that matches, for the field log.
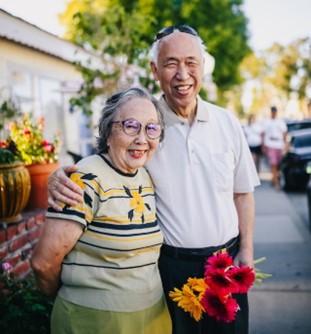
(113, 266)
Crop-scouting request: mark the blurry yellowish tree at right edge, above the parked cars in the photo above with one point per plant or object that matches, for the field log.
(280, 73)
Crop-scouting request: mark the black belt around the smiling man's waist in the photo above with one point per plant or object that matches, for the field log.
(198, 254)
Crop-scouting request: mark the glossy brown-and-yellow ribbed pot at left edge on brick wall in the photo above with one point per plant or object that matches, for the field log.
(14, 191)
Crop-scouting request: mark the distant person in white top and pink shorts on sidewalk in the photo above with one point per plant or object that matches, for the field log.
(274, 136)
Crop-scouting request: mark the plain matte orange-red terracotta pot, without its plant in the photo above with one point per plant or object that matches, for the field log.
(39, 174)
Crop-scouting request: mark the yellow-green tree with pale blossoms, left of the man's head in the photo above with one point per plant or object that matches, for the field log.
(115, 35)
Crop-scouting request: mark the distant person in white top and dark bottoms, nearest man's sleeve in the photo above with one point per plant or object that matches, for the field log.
(253, 132)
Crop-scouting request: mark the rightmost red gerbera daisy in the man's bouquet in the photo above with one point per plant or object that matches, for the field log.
(243, 276)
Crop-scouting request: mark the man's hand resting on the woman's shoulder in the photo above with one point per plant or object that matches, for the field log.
(61, 188)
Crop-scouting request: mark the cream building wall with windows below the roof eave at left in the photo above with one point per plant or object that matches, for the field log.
(43, 85)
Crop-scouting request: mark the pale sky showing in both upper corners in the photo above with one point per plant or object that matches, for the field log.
(269, 20)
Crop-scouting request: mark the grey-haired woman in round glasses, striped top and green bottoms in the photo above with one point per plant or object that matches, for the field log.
(99, 258)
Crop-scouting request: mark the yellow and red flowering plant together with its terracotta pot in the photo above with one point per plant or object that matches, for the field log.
(39, 155)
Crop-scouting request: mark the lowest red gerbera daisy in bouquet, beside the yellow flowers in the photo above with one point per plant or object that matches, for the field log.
(220, 307)
